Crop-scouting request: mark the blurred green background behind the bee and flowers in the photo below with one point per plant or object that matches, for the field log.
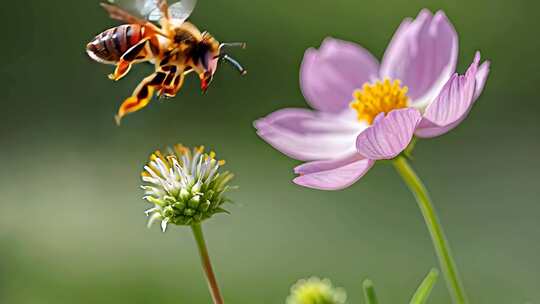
(72, 228)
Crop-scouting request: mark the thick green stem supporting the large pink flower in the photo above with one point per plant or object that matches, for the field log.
(440, 243)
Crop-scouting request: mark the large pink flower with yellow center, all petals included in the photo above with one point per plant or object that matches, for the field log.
(366, 111)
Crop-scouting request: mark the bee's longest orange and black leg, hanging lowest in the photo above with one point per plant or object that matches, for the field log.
(142, 95)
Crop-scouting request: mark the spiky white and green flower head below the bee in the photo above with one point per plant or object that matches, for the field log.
(185, 186)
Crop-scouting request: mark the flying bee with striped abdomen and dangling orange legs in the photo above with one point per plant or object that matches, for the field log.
(176, 48)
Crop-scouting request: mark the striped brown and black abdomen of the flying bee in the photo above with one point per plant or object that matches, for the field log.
(110, 45)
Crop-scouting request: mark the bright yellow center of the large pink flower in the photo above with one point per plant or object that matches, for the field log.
(379, 97)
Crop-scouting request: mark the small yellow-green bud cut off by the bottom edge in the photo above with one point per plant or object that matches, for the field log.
(316, 291)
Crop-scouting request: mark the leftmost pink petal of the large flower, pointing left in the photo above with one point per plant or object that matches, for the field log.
(310, 135)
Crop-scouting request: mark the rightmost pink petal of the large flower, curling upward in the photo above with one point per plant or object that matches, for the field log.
(455, 101)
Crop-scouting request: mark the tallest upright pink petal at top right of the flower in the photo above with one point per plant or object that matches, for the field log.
(422, 54)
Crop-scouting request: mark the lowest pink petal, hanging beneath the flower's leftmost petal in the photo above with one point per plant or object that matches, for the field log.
(333, 174)
